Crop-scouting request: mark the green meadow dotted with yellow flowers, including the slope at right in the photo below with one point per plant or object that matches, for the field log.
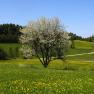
(74, 76)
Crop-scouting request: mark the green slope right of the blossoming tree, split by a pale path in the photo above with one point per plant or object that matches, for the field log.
(82, 47)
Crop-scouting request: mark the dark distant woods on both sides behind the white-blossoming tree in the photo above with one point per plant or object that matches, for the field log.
(9, 33)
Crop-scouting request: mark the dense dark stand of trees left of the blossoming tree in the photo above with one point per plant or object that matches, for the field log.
(9, 33)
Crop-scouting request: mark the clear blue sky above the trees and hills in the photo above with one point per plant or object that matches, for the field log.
(76, 15)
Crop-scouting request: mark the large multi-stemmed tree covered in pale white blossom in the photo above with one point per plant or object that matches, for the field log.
(47, 39)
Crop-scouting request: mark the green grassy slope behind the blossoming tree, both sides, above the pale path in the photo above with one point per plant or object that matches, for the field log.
(80, 47)
